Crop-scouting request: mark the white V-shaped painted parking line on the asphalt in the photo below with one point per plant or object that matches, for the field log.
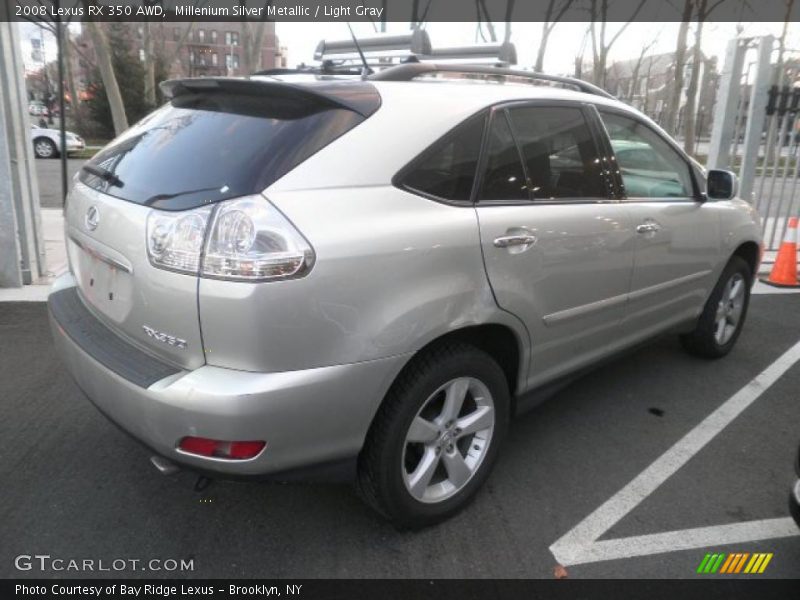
(581, 545)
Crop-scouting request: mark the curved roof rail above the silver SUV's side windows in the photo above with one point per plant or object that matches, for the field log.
(412, 70)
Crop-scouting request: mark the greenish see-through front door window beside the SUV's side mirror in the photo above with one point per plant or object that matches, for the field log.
(650, 167)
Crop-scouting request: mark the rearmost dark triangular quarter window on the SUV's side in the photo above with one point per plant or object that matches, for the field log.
(447, 169)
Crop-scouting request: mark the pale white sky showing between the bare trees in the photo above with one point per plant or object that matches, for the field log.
(300, 39)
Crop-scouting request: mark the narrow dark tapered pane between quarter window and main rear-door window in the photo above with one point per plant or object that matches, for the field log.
(504, 178)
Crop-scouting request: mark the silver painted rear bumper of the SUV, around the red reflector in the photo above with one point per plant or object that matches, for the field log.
(308, 418)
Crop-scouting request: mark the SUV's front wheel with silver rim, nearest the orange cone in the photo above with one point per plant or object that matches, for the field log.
(706, 340)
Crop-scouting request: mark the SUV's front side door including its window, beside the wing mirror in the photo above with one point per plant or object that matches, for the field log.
(677, 233)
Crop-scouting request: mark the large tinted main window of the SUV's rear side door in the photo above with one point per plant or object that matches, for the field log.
(559, 152)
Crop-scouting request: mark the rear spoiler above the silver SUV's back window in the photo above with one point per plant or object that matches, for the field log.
(358, 96)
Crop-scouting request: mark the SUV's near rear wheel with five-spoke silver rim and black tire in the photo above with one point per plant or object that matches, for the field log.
(395, 455)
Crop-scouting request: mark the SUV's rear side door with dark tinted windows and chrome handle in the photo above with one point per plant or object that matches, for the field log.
(558, 250)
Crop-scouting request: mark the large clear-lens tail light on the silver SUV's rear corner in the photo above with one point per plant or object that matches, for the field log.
(245, 239)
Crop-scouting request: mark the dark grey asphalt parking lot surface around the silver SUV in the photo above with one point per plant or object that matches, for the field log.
(76, 487)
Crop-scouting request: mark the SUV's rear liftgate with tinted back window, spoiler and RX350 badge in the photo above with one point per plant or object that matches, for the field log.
(213, 141)
